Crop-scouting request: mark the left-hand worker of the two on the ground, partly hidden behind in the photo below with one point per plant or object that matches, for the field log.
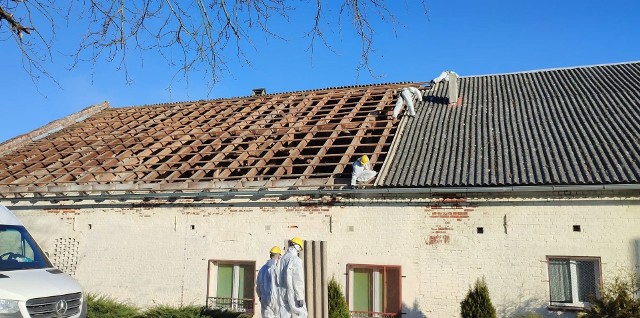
(267, 285)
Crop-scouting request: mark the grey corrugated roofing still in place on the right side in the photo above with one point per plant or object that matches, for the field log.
(572, 126)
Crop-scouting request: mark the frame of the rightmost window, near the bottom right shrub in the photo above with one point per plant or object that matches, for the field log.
(575, 304)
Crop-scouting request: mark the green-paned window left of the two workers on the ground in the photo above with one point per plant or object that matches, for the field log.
(231, 285)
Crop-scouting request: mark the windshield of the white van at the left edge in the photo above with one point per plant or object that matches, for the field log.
(18, 250)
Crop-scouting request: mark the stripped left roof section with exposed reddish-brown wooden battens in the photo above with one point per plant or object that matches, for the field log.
(299, 139)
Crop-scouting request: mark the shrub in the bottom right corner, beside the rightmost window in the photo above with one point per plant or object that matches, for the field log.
(617, 299)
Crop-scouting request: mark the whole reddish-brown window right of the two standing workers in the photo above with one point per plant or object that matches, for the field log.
(374, 291)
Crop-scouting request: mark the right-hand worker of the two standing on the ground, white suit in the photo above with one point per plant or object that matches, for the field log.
(291, 282)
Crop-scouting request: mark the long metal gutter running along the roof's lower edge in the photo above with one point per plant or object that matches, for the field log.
(325, 192)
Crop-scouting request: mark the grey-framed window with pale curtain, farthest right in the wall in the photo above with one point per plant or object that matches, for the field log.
(573, 281)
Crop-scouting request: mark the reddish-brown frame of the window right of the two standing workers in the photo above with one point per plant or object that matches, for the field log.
(383, 276)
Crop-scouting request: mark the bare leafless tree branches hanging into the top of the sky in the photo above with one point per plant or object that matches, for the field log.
(190, 35)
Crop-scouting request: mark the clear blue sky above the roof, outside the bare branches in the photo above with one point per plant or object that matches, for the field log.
(469, 37)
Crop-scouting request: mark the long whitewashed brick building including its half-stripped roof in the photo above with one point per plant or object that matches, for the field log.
(529, 180)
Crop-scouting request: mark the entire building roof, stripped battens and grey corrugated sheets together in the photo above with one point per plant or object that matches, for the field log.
(575, 126)
